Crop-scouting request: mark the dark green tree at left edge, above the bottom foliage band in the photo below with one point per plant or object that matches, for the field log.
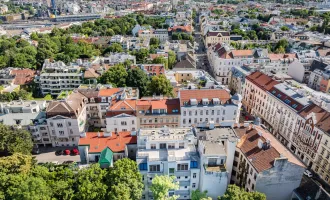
(15, 140)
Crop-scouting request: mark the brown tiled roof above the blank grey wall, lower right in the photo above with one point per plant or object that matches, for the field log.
(262, 159)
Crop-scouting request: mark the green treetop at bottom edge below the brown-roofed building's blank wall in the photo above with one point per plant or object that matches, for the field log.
(233, 192)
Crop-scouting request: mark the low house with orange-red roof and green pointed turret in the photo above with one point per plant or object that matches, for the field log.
(105, 148)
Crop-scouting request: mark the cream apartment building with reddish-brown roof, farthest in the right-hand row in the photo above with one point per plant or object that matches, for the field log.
(256, 87)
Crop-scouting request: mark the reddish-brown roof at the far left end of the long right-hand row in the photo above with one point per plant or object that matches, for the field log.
(262, 80)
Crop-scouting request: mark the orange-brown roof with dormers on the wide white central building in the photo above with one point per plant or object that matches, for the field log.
(186, 95)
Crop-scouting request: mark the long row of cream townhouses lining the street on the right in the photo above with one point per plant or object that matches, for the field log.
(293, 117)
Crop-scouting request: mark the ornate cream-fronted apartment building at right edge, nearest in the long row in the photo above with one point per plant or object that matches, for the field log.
(310, 139)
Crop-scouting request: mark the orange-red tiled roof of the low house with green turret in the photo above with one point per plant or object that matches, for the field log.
(116, 143)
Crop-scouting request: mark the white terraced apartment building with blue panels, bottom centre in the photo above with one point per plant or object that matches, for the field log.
(168, 151)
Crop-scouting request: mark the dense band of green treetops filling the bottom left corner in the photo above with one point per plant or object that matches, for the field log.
(21, 178)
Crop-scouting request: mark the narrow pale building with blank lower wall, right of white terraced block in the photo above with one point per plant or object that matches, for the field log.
(216, 149)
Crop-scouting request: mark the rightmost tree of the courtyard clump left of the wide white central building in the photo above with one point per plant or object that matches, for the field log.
(160, 85)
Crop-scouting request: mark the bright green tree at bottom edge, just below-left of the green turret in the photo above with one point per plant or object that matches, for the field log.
(90, 183)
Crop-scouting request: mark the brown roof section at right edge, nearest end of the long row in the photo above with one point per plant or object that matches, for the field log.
(322, 116)
